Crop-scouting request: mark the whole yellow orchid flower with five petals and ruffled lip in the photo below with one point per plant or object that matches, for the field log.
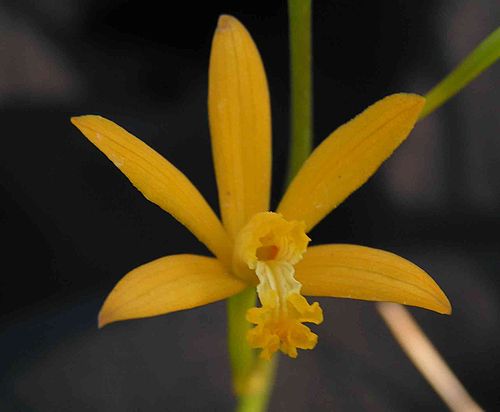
(253, 246)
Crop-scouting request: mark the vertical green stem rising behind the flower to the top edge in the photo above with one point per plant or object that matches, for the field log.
(301, 110)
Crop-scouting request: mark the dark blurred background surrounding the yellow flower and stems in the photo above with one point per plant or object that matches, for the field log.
(72, 225)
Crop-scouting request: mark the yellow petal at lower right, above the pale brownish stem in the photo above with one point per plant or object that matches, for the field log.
(358, 272)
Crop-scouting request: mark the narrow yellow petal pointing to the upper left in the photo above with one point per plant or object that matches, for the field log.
(158, 180)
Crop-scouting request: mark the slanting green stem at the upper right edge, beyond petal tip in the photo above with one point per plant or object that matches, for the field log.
(482, 57)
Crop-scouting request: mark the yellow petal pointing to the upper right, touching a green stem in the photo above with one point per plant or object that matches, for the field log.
(348, 157)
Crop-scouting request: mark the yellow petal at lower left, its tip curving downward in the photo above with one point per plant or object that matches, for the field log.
(166, 285)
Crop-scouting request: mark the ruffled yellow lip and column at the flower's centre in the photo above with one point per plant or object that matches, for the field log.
(266, 249)
